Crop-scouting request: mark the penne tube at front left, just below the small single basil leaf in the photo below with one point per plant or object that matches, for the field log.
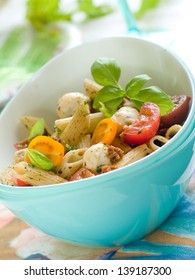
(35, 176)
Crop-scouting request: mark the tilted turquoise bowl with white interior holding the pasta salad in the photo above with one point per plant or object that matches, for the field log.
(124, 205)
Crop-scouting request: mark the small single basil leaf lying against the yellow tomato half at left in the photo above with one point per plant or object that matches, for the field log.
(39, 160)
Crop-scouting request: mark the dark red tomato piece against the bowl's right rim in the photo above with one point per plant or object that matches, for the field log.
(179, 113)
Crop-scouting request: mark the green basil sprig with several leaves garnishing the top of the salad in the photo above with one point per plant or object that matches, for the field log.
(106, 72)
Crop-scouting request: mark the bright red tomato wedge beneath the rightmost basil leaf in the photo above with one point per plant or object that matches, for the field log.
(145, 127)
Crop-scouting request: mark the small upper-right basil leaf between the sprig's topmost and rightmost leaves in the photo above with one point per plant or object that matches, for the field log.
(134, 86)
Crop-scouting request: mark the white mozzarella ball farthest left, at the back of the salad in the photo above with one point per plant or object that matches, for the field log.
(69, 102)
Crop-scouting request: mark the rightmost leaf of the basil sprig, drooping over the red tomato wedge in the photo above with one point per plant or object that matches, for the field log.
(155, 95)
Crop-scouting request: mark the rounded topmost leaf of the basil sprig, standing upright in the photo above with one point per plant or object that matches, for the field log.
(106, 71)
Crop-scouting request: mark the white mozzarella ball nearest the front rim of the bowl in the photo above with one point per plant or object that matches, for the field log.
(95, 156)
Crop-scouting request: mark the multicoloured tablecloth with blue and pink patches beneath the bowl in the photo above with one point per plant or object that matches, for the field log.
(173, 240)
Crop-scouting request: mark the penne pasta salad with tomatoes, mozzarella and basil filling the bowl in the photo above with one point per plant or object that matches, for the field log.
(101, 129)
